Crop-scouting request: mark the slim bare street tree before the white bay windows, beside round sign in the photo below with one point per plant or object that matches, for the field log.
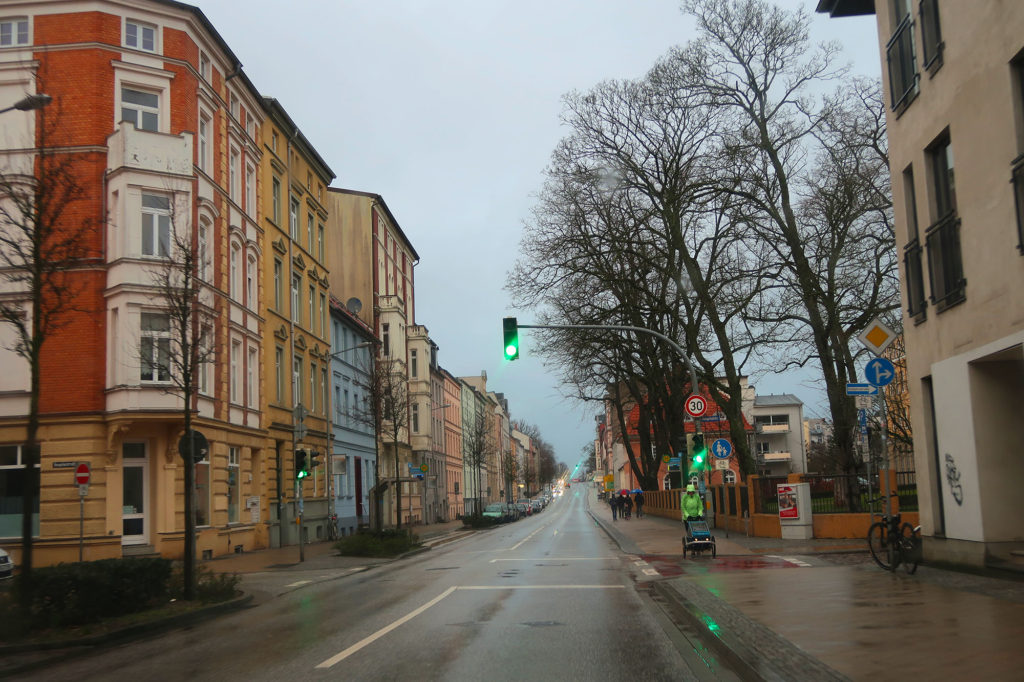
(187, 348)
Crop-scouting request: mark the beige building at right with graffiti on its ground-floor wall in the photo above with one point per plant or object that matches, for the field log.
(954, 74)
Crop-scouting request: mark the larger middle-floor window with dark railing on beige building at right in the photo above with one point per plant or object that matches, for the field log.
(946, 270)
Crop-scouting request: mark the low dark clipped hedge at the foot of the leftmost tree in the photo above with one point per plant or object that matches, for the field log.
(70, 594)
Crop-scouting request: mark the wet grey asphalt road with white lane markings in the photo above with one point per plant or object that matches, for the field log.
(546, 599)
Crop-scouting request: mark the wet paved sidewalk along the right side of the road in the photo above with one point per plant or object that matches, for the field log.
(787, 622)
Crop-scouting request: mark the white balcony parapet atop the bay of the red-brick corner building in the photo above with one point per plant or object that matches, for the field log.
(143, 150)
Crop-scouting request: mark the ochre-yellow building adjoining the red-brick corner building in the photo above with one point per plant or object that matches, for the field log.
(297, 350)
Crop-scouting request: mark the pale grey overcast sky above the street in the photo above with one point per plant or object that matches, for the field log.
(450, 110)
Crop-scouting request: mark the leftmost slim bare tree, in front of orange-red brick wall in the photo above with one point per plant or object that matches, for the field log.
(48, 237)
